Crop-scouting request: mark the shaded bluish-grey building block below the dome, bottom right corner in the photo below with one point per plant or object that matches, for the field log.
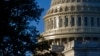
(87, 48)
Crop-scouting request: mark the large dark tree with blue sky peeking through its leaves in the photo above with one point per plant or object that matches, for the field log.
(16, 36)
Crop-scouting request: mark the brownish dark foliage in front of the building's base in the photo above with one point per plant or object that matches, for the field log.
(42, 48)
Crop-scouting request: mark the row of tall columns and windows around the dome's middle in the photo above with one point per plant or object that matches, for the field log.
(72, 21)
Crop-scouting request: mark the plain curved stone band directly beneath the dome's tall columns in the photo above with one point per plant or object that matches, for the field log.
(72, 30)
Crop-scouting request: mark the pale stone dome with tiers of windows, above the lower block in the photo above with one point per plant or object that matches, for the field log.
(73, 17)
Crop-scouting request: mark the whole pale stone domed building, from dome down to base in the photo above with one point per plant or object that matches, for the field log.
(72, 27)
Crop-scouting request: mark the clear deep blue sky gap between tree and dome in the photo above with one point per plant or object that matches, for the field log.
(43, 4)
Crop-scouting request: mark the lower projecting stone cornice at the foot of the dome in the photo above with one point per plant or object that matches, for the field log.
(49, 37)
